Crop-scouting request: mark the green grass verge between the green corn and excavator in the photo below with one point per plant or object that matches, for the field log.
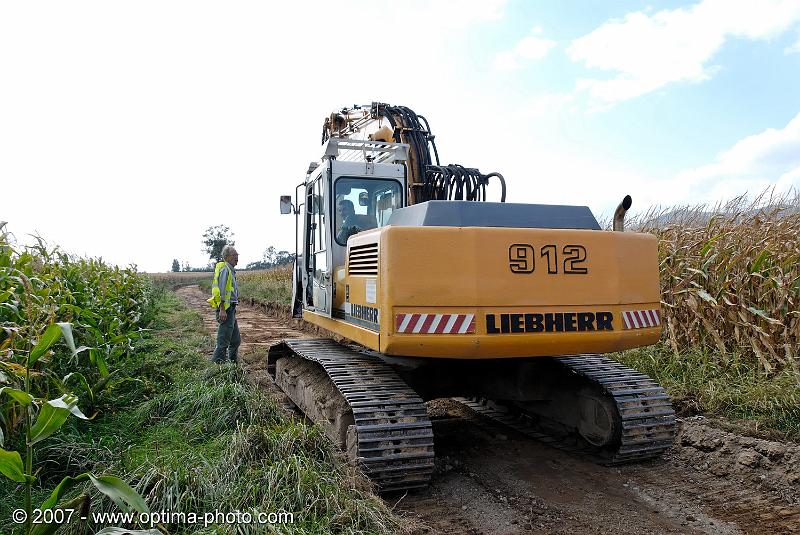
(192, 436)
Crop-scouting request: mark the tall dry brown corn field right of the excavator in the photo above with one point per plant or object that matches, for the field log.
(730, 279)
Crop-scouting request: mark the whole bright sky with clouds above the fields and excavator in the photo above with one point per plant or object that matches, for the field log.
(128, 128)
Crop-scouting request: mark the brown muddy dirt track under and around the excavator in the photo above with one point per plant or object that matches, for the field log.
(490, 479)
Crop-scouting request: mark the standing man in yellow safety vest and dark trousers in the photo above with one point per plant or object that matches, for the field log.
(224, 296)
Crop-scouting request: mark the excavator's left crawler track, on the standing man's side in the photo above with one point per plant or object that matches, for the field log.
(393, 433)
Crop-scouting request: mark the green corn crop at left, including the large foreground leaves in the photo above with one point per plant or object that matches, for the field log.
(37, 288)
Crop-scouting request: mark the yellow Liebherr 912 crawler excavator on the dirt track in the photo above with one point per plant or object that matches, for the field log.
(438, 292)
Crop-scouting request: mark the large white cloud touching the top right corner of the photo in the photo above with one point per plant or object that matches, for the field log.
(648, 51)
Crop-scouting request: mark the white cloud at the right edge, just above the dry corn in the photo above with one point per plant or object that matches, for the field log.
(770, 158)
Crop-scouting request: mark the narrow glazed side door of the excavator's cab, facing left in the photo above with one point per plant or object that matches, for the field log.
(318, 239)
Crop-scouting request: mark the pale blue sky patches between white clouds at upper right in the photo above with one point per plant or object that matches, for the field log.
(754, 85)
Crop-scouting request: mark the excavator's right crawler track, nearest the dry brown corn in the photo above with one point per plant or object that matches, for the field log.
(645, 411)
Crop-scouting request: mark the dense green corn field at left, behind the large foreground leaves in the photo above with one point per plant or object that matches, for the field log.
(104, 306)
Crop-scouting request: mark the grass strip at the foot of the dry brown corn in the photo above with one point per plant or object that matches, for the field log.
(723, 385)
